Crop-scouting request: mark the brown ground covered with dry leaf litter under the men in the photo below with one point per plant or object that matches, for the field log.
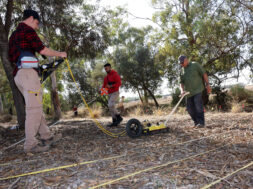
(183, 158)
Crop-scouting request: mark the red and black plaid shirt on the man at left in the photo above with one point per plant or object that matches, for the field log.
(26, 39)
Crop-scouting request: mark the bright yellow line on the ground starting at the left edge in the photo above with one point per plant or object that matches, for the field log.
(61, 167)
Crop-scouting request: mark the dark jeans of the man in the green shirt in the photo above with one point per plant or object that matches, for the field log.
(196, 109)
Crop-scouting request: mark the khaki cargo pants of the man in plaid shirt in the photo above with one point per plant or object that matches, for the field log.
(28, 82)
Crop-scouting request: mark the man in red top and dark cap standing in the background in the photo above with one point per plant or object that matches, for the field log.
(112, 82)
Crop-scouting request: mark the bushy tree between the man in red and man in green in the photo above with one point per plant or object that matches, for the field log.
(136, 63)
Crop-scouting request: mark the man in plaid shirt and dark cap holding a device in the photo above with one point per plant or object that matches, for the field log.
(24, 38)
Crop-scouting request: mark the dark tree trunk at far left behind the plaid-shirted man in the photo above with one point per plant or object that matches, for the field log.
(17, 96)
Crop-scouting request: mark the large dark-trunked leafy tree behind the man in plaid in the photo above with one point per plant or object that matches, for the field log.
(82, 35)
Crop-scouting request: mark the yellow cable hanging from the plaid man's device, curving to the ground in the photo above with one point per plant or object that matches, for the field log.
(90, 111)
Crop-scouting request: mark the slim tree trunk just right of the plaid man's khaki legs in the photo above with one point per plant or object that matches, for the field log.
(55, 98)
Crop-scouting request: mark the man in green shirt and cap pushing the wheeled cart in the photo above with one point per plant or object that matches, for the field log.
(193, 80)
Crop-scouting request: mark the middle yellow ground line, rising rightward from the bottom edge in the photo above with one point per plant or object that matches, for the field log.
(155, 167)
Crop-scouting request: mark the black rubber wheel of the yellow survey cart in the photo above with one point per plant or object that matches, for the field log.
(134, 128)
